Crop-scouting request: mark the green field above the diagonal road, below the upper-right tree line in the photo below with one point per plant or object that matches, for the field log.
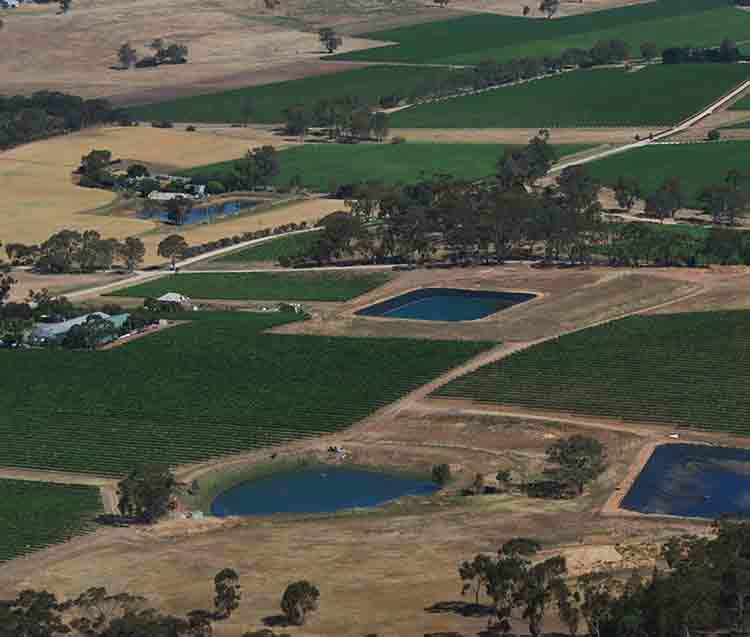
(656, 96)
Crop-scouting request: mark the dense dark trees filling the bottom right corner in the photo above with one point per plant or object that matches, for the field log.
(704, 590)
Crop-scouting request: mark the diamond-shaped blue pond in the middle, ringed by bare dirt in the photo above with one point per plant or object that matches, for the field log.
(445, 304)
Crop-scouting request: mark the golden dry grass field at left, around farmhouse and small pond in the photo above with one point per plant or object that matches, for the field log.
(40, 197)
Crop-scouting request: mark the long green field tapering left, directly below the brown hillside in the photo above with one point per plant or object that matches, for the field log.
(270, 100)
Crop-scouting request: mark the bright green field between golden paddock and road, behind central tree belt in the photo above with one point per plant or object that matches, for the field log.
(323, 167)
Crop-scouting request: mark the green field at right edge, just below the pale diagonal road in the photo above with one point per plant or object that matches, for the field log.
(697, 165)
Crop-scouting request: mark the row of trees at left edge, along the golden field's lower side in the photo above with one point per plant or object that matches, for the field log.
(74, 251)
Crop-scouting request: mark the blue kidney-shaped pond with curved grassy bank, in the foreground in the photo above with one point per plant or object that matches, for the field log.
(318, 490)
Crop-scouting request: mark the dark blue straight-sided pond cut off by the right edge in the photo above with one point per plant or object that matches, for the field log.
(694, 481)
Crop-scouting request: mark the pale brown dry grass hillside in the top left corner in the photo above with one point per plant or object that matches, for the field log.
(74, 52)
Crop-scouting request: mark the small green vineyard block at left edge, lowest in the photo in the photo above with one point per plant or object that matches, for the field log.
(34, 515)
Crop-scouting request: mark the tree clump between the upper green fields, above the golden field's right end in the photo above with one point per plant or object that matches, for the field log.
(344, 117)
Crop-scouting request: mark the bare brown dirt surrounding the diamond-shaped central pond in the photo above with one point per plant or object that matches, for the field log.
(571, 298)
